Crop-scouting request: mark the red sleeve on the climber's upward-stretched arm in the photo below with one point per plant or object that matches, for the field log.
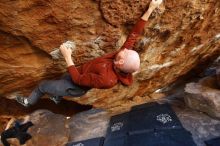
(135, 33)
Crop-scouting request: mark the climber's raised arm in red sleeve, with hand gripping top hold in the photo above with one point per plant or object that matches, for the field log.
(139, 26)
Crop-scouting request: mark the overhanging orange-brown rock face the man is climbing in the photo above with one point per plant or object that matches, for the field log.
(182, 34)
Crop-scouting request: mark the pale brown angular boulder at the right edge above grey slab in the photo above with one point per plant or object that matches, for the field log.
(204, 96)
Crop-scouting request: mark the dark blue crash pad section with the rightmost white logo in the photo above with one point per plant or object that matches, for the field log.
(151, 117)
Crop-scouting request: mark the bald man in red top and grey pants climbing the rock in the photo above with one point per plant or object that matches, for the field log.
(102, 73)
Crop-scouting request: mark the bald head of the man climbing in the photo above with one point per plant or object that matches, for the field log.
(127, 61)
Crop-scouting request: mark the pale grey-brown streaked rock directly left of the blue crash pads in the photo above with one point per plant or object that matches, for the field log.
(89, 124)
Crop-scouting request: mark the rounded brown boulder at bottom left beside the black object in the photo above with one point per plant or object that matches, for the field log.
(49, 129)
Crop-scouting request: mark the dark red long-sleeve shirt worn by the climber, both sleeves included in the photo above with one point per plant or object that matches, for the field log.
(100, 72)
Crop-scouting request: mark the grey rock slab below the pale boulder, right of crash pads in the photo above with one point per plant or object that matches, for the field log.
(200, 125)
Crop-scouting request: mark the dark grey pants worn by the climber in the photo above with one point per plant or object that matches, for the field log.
(58, 88)
